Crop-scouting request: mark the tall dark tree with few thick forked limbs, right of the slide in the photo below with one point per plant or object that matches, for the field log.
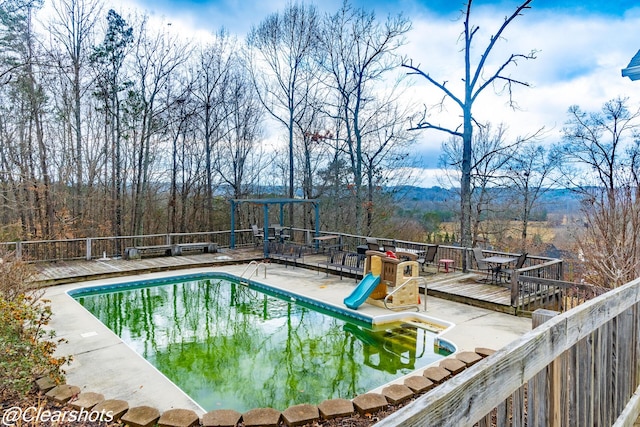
(476, 79)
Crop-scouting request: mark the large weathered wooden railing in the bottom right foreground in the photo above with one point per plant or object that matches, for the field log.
(579, 368)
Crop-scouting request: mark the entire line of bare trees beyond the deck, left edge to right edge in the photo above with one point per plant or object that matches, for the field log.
(114, 125)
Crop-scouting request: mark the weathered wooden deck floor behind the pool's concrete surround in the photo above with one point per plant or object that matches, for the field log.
(454, 286)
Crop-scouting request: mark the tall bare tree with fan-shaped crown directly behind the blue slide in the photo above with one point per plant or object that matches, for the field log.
(356, 53)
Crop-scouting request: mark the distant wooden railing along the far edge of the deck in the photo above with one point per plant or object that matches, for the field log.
(538, 283)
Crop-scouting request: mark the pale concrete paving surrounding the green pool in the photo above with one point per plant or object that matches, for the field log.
(102, 363)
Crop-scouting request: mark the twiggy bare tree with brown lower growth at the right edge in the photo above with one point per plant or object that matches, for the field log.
(602, 162)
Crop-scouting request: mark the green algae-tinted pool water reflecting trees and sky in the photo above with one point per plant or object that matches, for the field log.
(232, 347)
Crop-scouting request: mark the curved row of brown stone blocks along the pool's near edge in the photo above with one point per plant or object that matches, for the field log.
(298, 415)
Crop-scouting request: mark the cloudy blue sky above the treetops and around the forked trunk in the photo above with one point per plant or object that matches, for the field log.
(581, 45)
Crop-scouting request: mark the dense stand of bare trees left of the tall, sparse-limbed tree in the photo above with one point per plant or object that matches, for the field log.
(114, 125)
